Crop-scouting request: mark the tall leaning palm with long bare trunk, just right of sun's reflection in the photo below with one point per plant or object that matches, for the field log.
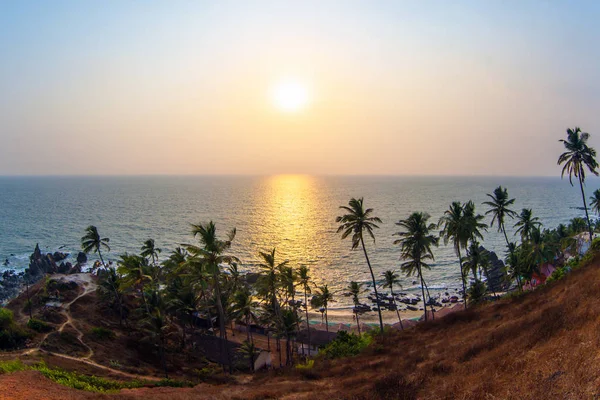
(355, 222)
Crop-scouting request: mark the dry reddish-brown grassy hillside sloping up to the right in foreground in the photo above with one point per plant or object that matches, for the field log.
(539, 345)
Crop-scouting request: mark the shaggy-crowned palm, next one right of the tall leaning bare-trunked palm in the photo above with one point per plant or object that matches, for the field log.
(416, 242)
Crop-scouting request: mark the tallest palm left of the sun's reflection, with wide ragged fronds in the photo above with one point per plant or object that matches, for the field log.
(211, 253)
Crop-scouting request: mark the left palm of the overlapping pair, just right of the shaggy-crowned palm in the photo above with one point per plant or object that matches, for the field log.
(456, 228)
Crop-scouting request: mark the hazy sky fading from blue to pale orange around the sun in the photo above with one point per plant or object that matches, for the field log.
(395, 87)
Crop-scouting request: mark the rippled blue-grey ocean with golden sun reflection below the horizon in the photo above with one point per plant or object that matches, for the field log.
(293, 213)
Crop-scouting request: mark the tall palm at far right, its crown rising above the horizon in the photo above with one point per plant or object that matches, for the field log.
(578, 156)
